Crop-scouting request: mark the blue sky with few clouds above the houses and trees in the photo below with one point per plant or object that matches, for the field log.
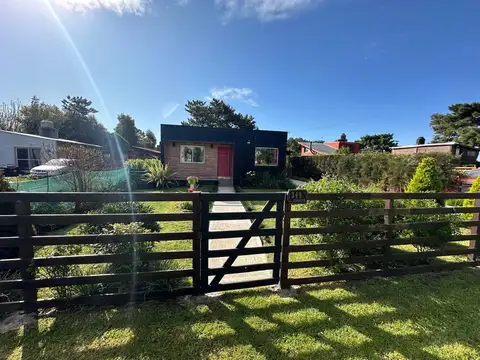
(315, 68)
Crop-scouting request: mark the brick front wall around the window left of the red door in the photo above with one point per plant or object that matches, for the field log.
(206, 171)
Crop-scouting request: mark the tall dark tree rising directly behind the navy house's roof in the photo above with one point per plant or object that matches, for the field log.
(217, 114)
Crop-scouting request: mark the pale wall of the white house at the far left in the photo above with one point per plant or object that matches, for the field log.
(9, 141)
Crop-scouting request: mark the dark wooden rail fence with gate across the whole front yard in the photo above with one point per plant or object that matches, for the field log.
(287, 237)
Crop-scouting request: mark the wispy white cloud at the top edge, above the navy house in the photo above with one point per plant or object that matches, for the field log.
(264, 10)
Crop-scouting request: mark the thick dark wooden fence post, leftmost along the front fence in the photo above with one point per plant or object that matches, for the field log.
(24, 226)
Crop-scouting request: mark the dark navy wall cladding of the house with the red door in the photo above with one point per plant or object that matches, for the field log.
(243, 142)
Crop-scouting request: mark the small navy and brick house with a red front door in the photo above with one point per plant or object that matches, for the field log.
(217, 153)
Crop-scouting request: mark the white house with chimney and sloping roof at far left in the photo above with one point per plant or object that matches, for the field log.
(26, 151)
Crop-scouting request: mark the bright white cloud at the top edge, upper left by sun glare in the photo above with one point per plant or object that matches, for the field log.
(137, 7)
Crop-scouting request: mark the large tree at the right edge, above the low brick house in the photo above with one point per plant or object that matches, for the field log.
(461, 124)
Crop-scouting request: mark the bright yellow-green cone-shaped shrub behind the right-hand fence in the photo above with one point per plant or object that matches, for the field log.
(427, 177)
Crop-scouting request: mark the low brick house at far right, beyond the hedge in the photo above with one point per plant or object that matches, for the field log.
(467, 154)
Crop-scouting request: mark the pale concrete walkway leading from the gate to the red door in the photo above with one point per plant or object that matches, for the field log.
(218, 244)
